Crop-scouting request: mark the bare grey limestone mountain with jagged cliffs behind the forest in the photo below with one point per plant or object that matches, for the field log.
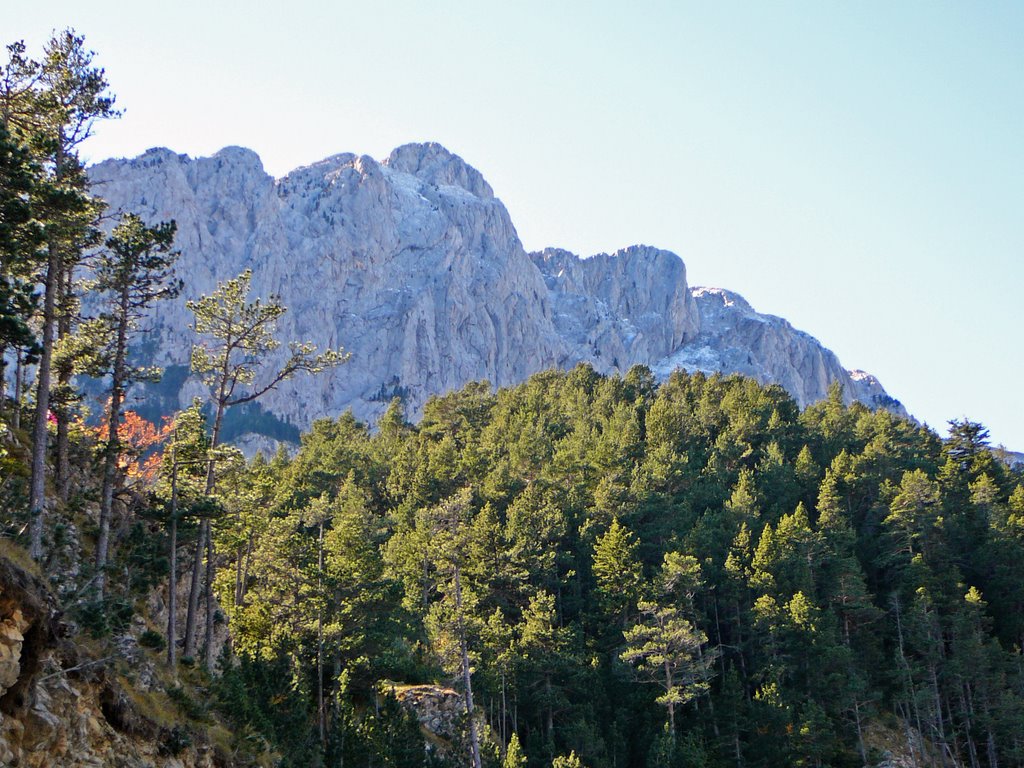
(414, 267)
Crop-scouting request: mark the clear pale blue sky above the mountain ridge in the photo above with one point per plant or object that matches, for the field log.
(858, 168)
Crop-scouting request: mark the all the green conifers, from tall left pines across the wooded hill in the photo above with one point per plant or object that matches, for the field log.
(601, 572)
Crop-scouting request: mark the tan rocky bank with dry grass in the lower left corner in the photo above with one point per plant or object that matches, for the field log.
(61, 709)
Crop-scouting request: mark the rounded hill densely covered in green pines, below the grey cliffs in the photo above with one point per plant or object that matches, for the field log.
(614, 558)
